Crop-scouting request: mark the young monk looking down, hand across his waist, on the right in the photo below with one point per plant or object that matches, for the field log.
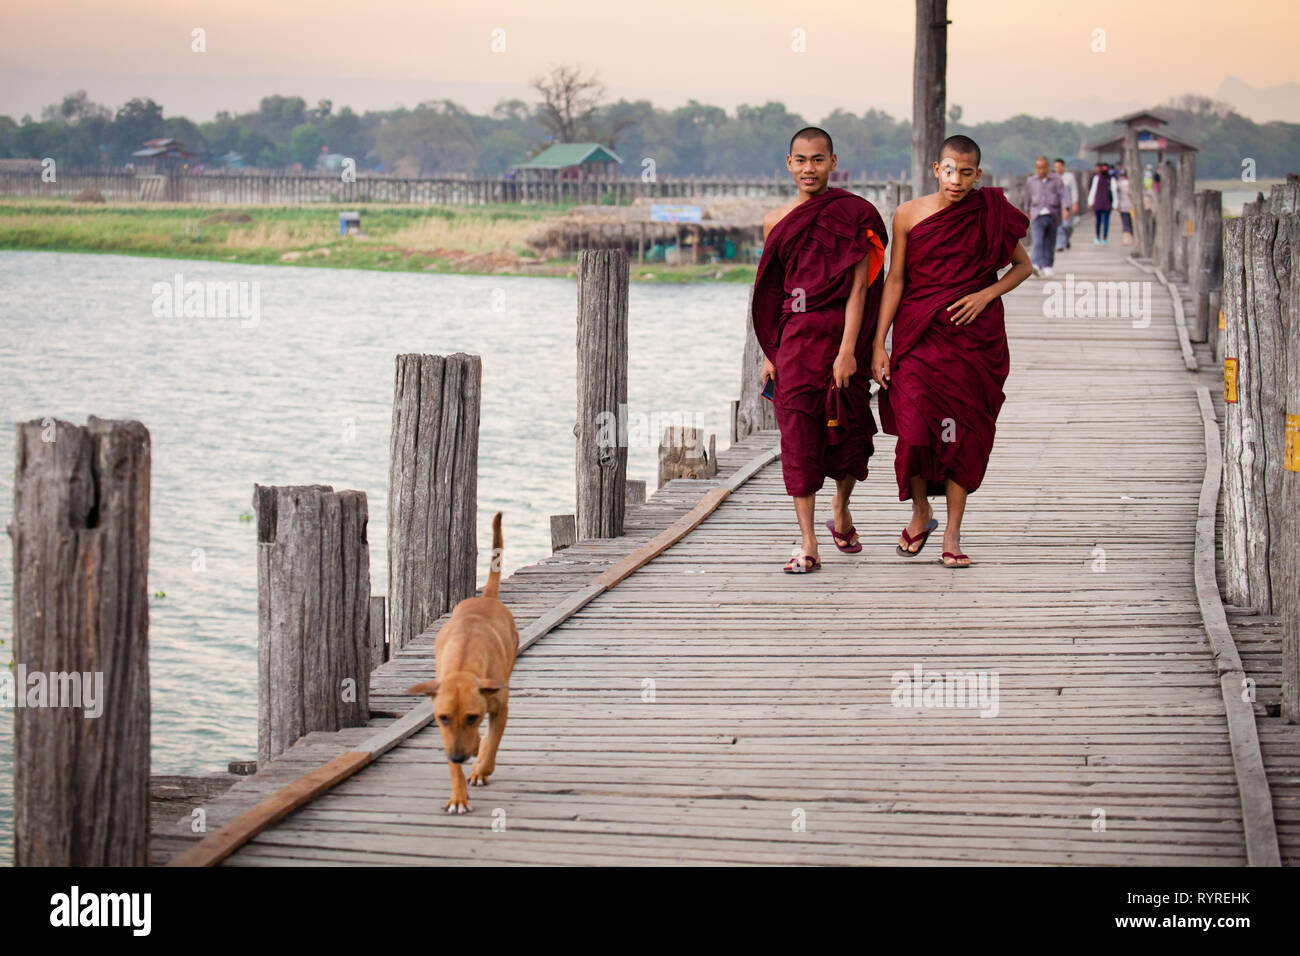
(942, 386)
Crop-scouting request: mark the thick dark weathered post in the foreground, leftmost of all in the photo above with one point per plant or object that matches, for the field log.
(81, 626)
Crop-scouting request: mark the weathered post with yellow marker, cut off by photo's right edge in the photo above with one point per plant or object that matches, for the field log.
(1290, 504)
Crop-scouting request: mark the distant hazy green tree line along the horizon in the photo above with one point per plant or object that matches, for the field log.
(697, 139)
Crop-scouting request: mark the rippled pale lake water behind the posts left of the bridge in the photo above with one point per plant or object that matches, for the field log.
(305, 397)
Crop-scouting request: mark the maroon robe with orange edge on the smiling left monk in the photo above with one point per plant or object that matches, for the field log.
(800, 295)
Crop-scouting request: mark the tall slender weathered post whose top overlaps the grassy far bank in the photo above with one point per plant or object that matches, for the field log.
(603, 392)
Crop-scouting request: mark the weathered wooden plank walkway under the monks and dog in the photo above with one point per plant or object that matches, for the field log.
(773, 736)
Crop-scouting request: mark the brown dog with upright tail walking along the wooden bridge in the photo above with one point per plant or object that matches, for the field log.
(474, 656)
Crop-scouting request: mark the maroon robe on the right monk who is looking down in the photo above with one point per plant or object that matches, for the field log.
(946, 386)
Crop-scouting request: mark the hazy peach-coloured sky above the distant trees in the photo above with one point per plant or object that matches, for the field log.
(1006, 58)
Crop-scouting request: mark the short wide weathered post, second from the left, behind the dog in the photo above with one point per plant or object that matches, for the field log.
(314, 613)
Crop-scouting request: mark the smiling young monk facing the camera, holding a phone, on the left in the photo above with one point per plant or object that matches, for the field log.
(816, 302)
